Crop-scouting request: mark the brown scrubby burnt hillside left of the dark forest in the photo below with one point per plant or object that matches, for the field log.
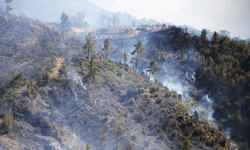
(42, 89)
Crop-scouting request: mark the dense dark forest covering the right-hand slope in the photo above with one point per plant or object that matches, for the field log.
(223, 60)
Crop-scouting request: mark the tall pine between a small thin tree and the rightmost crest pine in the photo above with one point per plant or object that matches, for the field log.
(139, 52)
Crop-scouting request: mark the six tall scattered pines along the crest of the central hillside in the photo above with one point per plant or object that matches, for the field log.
(138, 53)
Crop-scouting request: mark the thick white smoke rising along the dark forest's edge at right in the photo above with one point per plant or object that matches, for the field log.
(183, 86)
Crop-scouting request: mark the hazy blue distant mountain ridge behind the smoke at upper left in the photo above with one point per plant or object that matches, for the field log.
(50, 11)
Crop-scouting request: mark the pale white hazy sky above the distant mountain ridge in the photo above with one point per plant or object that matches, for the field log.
(216, 15)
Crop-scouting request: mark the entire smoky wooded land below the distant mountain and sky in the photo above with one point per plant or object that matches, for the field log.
(65, 90)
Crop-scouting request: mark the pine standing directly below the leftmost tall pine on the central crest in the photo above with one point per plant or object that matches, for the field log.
(92, 76)
